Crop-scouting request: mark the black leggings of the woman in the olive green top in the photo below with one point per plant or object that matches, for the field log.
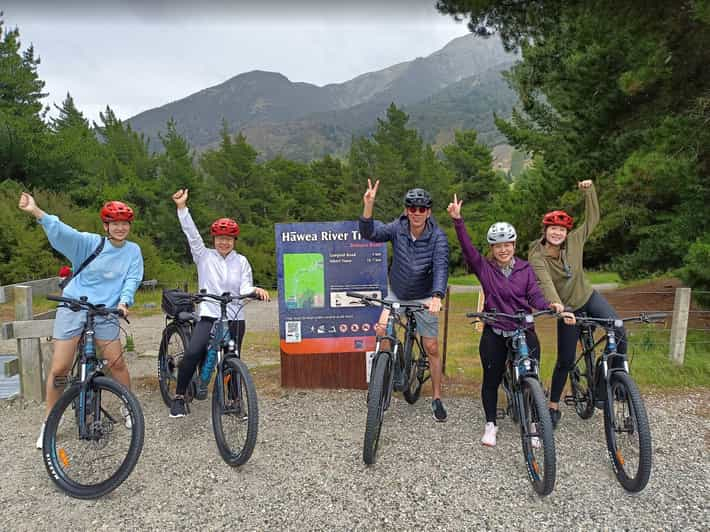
(567, 336)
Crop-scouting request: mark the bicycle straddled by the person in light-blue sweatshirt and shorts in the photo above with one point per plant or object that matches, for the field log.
(88, 452)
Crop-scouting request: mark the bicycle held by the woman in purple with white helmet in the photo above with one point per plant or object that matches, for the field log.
(526, 402)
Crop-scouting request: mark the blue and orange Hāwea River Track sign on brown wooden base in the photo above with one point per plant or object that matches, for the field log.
(325, 335)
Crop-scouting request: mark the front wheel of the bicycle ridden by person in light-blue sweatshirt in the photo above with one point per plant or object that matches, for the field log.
(92, 466)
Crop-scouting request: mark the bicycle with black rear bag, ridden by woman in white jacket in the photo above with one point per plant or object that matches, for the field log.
(235, 411)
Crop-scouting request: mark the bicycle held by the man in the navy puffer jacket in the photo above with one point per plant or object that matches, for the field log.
(404, 368)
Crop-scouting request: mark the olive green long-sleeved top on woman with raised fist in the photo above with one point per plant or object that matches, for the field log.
(562, 278)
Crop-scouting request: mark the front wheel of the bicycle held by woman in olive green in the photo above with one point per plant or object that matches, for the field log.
(628, 435)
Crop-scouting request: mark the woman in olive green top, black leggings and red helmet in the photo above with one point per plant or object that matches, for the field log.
(557, 259)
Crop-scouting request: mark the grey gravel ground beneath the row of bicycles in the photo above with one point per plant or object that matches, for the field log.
(307, 472)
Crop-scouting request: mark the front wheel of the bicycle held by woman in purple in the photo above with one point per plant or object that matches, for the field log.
(537, 437)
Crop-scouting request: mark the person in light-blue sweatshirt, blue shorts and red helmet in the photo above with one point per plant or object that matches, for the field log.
(111, 279)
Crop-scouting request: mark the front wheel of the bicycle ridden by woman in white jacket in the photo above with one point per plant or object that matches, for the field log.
(235, 412)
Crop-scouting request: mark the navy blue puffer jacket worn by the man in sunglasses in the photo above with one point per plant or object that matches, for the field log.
(420, 268)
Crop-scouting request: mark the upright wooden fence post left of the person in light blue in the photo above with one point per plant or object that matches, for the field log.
(28, 349)
